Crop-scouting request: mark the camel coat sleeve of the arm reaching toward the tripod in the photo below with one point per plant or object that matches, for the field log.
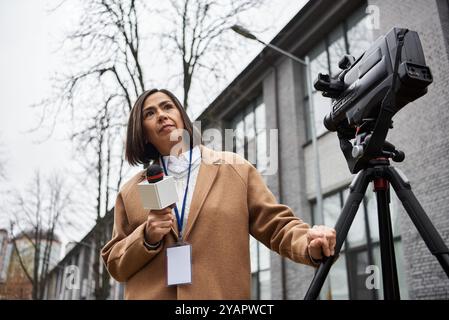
(274, 224)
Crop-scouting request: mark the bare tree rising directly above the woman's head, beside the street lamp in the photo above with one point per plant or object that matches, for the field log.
(198, 36)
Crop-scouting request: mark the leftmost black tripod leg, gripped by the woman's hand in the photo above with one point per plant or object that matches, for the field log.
(357, 192)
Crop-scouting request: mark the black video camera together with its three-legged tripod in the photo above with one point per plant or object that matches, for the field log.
(367, 94)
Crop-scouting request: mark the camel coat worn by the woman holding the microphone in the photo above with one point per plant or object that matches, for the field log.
(230, 201)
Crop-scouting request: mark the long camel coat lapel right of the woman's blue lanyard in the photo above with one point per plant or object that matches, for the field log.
(206, 178)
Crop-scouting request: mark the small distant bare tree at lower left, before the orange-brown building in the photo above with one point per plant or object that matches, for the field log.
(36, 214)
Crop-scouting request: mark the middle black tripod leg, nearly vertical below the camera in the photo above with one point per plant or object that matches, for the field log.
(389, 271)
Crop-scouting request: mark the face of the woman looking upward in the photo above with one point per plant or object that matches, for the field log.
(160, 118)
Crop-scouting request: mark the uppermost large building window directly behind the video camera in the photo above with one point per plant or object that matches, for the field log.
(354, 35)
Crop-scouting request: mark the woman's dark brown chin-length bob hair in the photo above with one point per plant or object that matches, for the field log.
(137, 150)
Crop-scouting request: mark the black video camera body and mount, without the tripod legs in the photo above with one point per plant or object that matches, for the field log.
(370, 90)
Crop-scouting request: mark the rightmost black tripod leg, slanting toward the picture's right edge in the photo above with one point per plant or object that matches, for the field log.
(421, 221)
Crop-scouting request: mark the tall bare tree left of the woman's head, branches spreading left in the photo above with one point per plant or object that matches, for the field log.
(105, 47)
